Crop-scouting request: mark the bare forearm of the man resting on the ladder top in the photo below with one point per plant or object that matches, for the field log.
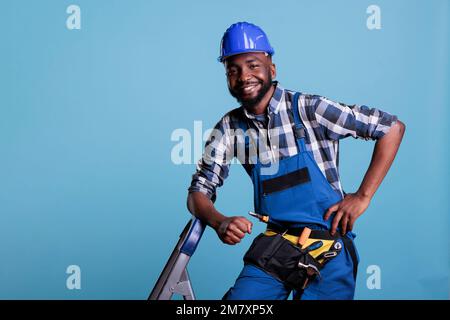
(203, 208)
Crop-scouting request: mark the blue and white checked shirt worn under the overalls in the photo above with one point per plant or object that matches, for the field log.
(325, 121)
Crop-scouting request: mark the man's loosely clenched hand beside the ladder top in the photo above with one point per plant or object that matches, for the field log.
(233, 229)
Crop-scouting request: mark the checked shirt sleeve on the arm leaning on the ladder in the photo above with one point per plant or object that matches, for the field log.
(213, 167)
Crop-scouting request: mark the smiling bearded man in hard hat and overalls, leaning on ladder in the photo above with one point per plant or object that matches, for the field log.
(290, 143)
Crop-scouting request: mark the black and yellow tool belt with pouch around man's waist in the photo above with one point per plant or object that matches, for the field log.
(277, 253)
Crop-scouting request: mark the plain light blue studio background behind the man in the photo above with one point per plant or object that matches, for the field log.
(86, 119)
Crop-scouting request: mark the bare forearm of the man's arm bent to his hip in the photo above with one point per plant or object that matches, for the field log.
(384, 153)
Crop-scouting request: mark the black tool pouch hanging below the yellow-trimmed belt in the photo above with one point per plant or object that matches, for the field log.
(283, 260)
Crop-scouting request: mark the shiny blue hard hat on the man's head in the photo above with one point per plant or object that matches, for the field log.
(243, 37)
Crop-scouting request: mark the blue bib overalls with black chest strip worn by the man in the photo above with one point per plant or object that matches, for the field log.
(297, 195)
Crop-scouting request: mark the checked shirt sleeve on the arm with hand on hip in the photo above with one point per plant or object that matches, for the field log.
(339, 120)
